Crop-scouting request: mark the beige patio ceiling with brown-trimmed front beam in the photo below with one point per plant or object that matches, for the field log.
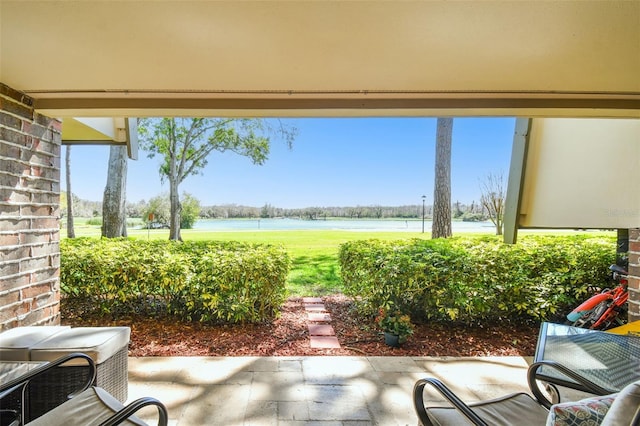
(323, 58)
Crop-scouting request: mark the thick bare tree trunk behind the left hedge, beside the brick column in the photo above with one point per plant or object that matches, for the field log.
(114, 221)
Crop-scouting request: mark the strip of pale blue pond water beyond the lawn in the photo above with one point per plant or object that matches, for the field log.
(390, 225)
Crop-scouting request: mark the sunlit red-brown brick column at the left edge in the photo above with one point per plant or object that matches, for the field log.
(29, 213)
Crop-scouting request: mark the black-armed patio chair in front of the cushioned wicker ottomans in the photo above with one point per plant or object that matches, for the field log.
(79, 403)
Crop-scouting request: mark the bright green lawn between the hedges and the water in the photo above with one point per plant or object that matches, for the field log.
(314, 254)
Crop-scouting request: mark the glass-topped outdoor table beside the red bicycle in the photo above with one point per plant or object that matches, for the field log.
(609, 360)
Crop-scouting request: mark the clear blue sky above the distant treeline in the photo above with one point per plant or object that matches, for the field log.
(333, 162)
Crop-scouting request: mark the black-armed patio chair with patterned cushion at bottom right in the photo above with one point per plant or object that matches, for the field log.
(522, 409)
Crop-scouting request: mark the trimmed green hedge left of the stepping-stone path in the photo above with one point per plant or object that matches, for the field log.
(207, 281)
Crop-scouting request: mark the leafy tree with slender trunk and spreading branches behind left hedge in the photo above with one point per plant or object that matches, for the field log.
(185, 144)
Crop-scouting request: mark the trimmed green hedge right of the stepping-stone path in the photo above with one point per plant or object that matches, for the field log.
(475, 279)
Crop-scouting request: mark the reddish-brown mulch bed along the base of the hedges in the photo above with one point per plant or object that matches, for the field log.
(288, 336)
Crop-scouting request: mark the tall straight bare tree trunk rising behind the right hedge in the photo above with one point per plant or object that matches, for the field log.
(441, 225)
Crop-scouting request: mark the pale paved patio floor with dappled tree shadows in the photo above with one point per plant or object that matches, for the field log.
(311, 390)
